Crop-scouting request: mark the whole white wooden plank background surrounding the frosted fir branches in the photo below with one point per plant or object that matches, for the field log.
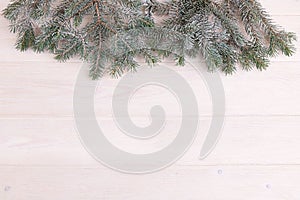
(41, 157)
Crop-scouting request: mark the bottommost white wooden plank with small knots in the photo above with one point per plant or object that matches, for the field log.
(246, 182)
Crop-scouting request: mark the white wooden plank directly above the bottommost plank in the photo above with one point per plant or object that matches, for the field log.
(244, 141)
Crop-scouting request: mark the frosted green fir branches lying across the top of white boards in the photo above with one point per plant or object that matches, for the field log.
(112, 34)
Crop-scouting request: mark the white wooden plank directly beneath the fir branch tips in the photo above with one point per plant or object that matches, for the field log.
(29, 90)
